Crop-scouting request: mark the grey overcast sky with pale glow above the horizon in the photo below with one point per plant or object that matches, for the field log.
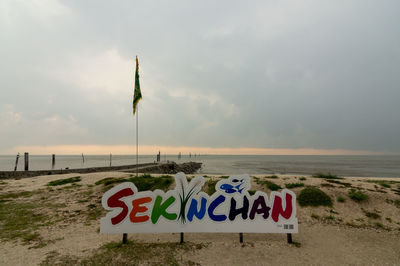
(224, 74)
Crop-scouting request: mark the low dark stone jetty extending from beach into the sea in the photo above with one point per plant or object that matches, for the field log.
(159, 168)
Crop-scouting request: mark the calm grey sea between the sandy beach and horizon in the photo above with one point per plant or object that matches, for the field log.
(342, 165)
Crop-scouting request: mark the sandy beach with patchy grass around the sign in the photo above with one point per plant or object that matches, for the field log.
(63, 227)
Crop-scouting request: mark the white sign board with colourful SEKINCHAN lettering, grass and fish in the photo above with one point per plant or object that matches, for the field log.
(187, 209)
